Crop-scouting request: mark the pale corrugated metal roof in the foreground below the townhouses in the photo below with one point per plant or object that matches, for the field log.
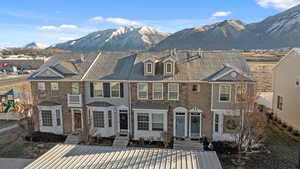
(81, 156)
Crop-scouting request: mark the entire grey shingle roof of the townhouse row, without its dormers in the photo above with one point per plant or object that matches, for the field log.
(119, 66)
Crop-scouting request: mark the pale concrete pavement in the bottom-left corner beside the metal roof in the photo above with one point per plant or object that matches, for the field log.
(14, 163)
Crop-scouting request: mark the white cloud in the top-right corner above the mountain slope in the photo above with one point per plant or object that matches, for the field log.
(278, 4)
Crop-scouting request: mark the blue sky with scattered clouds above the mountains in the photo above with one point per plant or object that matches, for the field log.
(53, 21)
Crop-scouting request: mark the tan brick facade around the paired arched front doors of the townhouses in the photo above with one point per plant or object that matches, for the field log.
(187, 98)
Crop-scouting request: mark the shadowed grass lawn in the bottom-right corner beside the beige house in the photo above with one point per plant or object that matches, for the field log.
(283, 153)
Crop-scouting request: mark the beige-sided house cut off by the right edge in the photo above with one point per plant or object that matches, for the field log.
(286, 89)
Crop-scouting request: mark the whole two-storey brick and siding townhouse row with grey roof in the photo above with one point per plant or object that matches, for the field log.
(184, 94)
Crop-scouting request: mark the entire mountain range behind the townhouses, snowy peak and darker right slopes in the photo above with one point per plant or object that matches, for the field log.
(278, 31)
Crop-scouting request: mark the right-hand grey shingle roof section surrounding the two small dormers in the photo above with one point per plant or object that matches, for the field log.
(190, 66)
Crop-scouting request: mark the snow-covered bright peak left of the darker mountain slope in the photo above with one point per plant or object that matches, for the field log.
(121, 39)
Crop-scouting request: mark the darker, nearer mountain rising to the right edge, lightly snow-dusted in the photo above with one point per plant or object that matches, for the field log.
(278, 31)
